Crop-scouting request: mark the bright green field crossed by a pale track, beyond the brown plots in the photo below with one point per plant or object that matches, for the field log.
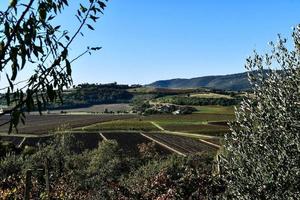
(198, 123)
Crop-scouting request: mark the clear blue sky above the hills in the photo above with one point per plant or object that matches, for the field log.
(148, 40)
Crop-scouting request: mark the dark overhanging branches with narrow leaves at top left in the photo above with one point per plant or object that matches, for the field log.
(29, 37)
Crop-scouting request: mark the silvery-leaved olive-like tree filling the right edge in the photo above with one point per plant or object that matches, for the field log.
(261, 157)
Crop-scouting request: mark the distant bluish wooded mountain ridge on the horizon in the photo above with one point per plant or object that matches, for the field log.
(234, 82)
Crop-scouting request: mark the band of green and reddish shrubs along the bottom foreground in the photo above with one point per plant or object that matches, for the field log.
(106, 173)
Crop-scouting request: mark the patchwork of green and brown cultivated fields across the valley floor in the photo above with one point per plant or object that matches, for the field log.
(179, 132)
